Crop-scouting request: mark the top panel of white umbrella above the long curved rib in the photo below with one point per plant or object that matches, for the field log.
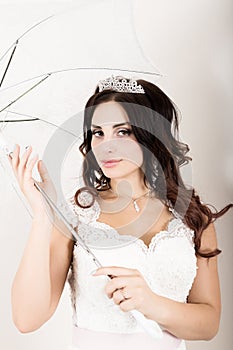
(97, 34)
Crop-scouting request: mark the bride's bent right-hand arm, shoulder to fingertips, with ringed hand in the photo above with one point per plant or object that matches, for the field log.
(196, 320)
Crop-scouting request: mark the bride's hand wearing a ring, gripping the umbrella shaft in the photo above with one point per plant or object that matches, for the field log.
(128, 289)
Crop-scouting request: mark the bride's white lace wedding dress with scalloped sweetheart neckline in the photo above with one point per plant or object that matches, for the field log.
(168, 265)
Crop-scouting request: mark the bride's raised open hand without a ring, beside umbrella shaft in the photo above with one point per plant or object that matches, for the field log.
(22, 168)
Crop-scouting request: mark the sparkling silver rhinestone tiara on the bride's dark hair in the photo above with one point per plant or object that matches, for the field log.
(120, 84)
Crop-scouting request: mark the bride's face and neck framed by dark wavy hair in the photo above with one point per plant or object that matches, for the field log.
(112, 141)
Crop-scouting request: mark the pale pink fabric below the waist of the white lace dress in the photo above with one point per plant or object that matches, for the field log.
(84, 339)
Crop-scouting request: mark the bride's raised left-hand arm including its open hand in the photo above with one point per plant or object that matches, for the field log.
(41, 275)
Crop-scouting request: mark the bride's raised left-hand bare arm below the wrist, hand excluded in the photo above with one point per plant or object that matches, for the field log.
(41, 275)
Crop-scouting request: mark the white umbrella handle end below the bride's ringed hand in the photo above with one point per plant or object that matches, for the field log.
(151, 327)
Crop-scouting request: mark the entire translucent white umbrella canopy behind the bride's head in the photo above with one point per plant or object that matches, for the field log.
(53, 67)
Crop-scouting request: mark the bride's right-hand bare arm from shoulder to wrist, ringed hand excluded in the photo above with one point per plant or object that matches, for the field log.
(199, 318)
